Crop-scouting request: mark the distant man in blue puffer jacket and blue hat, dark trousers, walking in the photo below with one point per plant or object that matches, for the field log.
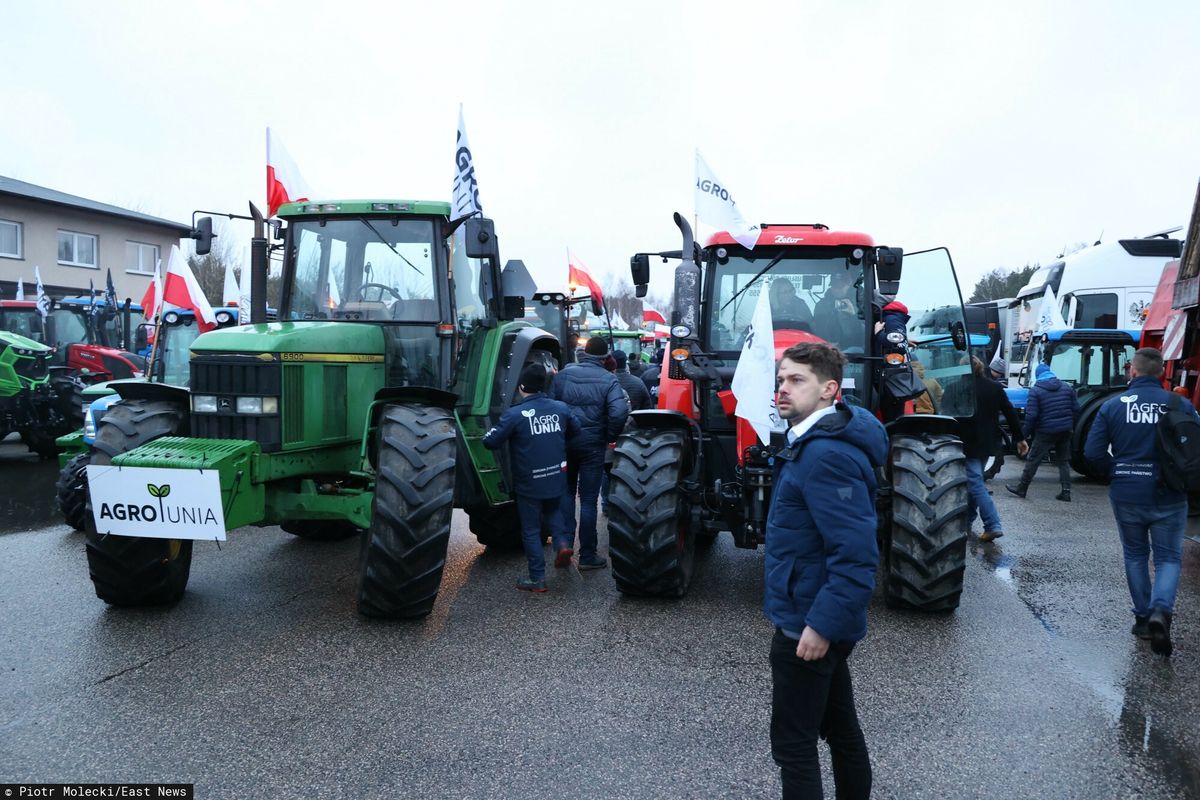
(1051, 417)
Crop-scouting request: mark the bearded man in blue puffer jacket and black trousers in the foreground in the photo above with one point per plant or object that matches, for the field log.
(821, 558)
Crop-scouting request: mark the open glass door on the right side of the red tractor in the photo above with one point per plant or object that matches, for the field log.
(931, 291)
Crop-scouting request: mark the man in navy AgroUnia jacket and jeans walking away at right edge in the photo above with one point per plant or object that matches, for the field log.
(1150, 516)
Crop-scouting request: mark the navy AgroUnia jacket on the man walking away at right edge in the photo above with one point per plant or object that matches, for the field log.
(1129, 423)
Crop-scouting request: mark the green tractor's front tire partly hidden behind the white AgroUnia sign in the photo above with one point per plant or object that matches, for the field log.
(134, 570)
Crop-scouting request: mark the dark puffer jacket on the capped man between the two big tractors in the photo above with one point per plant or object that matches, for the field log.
(598, 400)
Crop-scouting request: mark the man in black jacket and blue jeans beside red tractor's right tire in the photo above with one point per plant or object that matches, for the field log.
(980, 442)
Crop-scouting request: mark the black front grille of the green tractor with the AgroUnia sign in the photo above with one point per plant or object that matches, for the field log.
(229, 378)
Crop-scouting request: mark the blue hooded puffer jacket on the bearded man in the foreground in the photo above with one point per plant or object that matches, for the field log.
(821, 552)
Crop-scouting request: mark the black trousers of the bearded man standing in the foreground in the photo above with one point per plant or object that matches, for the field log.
(811, 700)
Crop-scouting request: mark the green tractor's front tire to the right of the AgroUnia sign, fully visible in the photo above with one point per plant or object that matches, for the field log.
(405, 551)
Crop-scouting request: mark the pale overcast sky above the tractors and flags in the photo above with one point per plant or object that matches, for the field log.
(1004, 134)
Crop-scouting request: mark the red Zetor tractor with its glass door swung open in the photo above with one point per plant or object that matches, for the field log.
(691, 468)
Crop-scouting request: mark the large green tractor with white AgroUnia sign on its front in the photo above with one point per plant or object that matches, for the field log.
(362, 411)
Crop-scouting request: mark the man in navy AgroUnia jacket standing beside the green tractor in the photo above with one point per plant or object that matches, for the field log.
(539, 429)
